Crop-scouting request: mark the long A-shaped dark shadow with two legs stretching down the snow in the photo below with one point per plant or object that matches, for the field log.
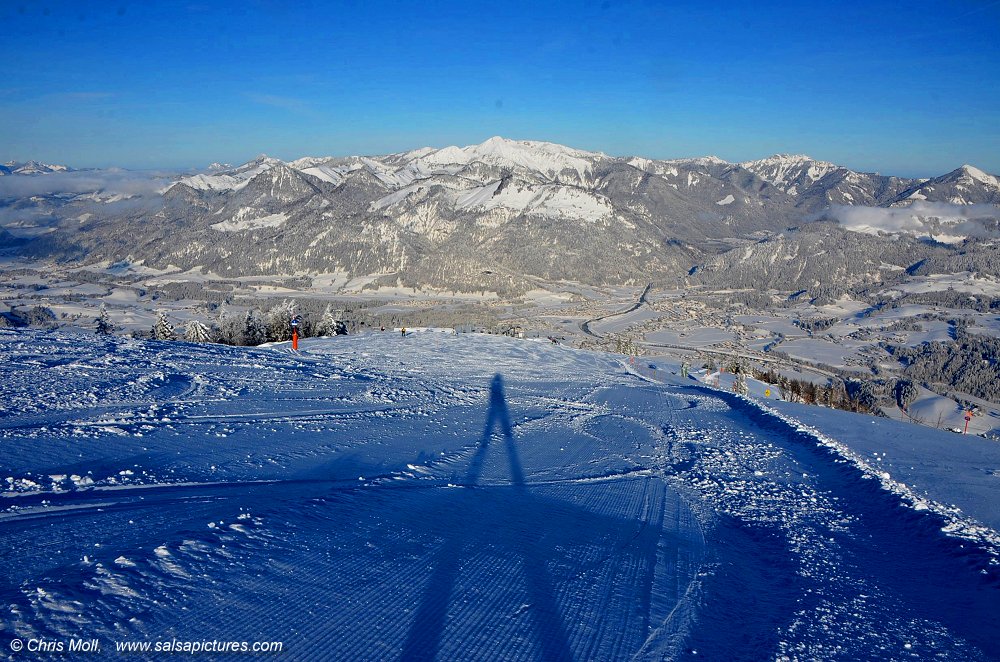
(424, 638)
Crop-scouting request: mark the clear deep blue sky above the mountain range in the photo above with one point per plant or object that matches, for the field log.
(901, 88)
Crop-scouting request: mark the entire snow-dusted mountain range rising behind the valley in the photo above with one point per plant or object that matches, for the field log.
(498, 214)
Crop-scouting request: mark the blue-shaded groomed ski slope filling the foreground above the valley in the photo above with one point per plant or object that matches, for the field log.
(466, 497)
